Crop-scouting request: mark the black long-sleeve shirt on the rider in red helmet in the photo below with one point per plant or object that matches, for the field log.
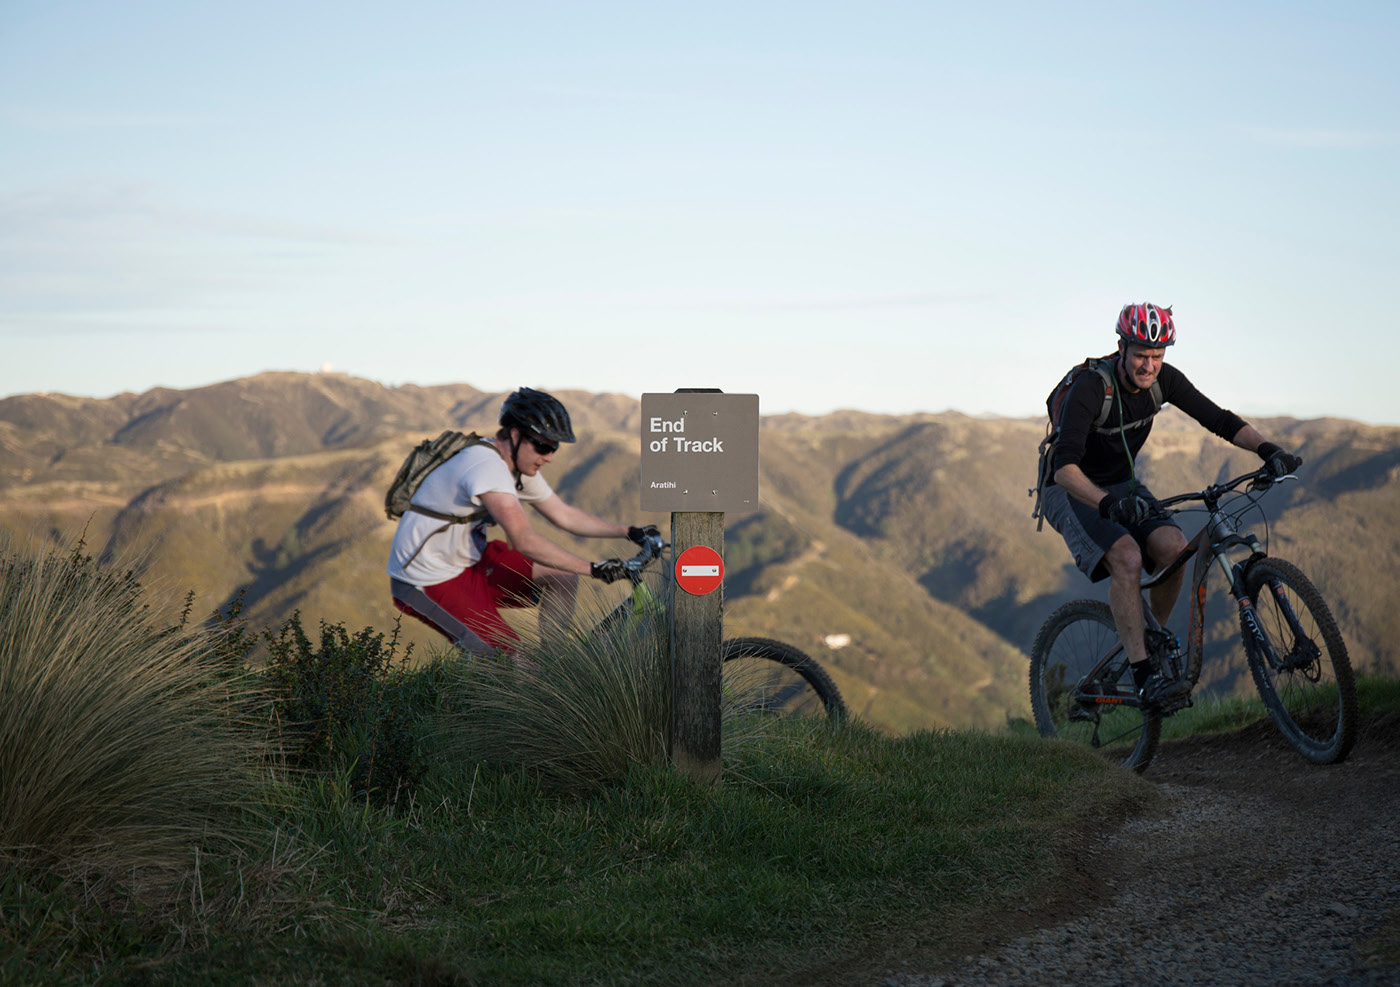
(1108, 457)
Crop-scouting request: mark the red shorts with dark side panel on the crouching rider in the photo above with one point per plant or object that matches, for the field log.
(502, 577)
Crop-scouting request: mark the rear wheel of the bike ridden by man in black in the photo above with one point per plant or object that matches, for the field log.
(1067, 650)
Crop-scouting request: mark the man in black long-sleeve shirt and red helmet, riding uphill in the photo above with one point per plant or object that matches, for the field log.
(1111, 521)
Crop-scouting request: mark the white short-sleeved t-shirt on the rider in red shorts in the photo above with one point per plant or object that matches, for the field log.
(454, 488)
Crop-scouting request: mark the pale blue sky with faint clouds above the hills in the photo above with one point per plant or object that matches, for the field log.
(887, 206)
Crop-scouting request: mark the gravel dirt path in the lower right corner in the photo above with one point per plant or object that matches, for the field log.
(1263, 870)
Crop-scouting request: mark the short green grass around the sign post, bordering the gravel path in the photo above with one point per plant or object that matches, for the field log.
(815, 846)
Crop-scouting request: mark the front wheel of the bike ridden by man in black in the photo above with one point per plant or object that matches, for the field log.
(1300, 663)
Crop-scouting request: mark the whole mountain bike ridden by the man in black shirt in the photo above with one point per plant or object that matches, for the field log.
(1081, 688)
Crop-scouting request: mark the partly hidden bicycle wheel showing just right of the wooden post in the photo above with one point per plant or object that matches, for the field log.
(775, 678)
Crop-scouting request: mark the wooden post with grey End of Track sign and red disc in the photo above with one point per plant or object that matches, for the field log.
(699, 460)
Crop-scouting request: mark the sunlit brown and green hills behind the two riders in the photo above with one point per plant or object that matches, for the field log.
(897, 549)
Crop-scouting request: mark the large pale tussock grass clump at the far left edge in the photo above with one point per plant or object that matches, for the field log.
(120, 737)
